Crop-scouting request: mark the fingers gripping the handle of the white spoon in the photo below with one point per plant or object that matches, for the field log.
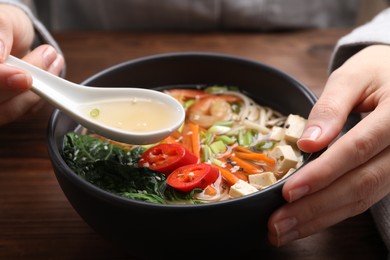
(16, 37)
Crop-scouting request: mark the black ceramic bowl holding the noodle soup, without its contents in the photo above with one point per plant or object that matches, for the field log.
(234, 226)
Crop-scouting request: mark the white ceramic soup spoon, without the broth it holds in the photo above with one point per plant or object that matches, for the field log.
(70, 98)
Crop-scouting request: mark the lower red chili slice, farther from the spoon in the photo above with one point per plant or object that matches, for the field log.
(189, 177)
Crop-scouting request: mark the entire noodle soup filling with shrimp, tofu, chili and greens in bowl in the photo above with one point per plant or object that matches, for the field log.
(228, 147)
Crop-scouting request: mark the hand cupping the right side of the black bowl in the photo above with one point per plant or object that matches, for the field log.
(354, 172)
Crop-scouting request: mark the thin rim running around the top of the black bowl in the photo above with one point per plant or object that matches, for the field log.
(95, 191)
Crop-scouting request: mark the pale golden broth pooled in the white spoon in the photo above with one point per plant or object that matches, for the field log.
(133, 115)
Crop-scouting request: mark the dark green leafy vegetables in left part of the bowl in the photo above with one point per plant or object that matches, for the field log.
(113, 168)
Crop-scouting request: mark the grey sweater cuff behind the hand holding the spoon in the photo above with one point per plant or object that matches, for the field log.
(41, 32)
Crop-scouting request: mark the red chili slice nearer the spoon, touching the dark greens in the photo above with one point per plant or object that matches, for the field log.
(165, 158)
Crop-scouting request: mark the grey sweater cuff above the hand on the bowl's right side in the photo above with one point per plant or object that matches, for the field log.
(376, 31)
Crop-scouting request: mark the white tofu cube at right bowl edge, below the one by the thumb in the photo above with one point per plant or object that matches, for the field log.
(285, 158)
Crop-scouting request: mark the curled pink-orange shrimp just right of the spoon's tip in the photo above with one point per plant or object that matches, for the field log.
(212, 108)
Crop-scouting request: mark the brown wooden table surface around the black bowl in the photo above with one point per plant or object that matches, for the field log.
(36, 220)
